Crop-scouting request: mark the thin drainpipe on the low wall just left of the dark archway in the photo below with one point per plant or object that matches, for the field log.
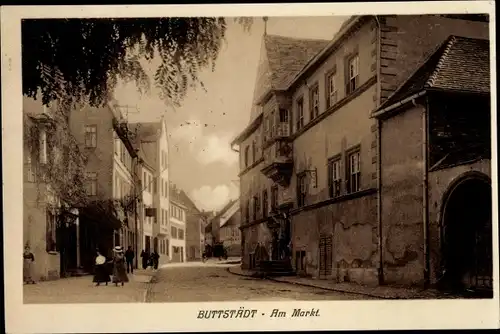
(425, 190)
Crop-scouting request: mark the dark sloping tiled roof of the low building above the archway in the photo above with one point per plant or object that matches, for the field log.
(459, 64)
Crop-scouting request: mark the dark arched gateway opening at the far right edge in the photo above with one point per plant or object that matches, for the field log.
(466, 234)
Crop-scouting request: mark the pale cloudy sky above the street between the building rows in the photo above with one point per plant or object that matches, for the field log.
(201, 160)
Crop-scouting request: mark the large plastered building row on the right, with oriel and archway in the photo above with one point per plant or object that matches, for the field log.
(367, 157)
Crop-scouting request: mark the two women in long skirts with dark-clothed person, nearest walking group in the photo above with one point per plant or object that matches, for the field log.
(119, 261)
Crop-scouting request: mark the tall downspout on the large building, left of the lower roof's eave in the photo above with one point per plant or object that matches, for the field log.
(379, 160)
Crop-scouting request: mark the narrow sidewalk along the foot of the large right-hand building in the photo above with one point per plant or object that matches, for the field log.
(383, 292)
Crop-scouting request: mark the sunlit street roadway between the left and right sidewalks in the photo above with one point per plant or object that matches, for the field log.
(211, 281)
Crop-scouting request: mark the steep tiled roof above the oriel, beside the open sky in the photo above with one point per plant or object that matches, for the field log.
(287, 56)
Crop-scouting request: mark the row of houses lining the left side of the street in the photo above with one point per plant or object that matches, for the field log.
(92, 181)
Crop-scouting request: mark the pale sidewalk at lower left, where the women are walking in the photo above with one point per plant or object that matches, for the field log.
(83, 290)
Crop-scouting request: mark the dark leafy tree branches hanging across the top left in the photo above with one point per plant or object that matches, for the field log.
(84, 59)
